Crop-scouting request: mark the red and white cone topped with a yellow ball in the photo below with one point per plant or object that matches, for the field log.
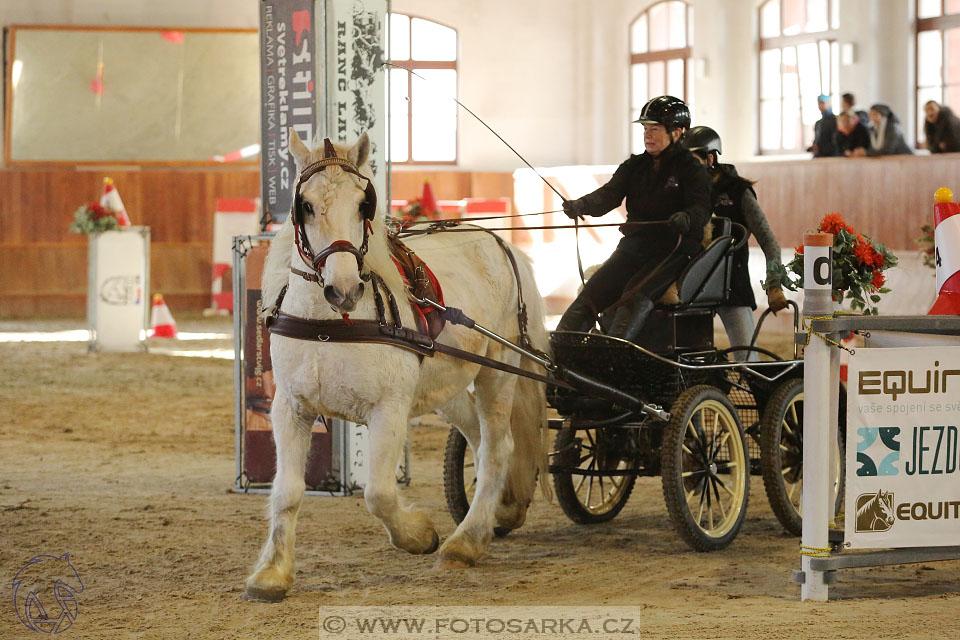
(946, 236)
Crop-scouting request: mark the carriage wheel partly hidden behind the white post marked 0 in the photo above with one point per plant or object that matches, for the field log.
(781, 454)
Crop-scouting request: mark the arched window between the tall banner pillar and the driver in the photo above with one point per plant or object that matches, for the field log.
(423, 114)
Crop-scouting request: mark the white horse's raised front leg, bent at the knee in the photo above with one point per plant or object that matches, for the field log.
(409, 529)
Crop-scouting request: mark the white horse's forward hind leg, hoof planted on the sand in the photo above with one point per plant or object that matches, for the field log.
(494, 393)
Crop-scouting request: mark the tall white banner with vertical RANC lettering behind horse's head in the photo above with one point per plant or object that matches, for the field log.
(357, 81)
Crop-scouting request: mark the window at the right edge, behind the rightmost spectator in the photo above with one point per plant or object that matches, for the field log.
(938, 55)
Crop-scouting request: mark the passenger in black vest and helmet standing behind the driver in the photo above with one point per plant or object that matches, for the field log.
(734, 198)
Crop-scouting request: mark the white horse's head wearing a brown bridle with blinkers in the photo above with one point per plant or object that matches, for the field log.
(334, 208)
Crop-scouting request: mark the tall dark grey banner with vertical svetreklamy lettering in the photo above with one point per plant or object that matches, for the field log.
(288, 88)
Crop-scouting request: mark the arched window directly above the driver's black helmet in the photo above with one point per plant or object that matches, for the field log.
(660, 44)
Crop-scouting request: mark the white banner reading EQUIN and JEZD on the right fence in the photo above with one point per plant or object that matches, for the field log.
(903, 459)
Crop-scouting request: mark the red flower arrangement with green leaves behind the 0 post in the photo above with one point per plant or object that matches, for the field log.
(858, 265)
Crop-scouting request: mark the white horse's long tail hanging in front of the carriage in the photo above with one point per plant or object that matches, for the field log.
(528, 420)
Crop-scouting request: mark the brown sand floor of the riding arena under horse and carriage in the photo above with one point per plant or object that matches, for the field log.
(126, 462)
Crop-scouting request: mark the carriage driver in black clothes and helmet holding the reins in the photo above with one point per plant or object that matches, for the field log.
(666, 185)
